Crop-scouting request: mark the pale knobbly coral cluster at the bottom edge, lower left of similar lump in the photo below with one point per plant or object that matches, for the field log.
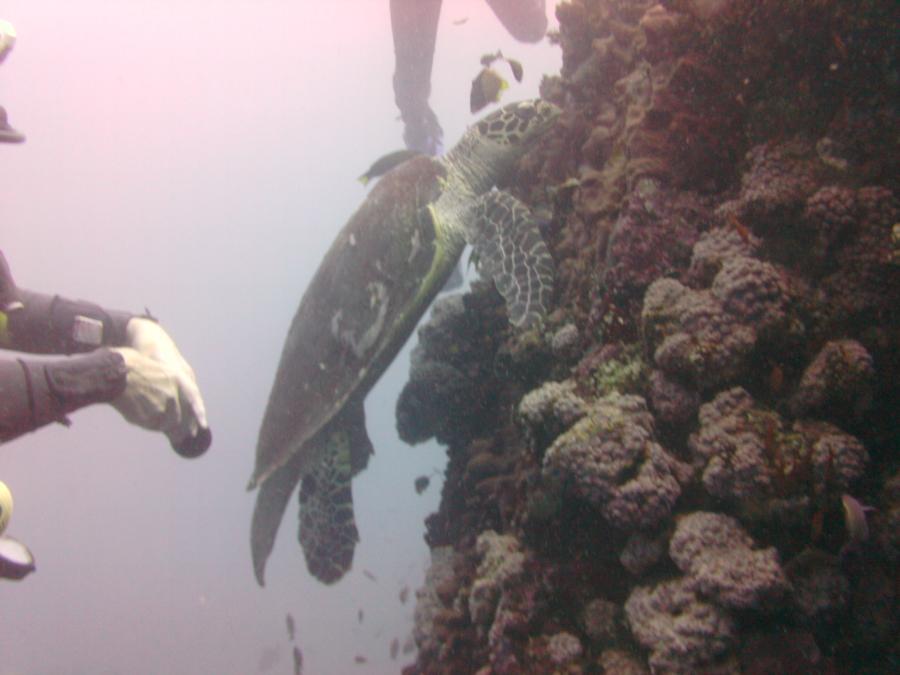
(682, 631)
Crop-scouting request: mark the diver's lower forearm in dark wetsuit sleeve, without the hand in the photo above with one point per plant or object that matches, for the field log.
(35, 392)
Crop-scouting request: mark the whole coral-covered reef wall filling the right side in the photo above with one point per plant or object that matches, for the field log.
(674, 473)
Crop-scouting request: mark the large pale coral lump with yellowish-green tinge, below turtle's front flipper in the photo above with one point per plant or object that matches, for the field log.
(612, 460)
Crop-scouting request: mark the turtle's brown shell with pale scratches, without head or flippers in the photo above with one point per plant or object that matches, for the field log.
(375, 282)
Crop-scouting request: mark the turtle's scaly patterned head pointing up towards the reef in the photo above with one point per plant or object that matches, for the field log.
(500, 139)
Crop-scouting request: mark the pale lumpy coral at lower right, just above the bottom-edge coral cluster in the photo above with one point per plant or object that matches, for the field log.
(715, 551)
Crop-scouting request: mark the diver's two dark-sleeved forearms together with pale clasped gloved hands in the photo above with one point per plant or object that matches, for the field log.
(158, 390)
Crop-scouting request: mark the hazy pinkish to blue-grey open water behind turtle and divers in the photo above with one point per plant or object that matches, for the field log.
(197, 158)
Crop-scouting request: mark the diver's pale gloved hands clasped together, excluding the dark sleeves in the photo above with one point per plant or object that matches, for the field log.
(161, 392)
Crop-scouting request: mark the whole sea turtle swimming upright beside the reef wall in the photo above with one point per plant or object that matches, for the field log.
(377, 279)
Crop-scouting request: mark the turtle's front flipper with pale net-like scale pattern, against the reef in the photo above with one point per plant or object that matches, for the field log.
(509, 249)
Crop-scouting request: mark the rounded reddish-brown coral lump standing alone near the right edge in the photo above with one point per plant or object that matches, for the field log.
(839, 380)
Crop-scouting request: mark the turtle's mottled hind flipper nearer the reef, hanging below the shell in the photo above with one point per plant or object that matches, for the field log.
(328, 533)
